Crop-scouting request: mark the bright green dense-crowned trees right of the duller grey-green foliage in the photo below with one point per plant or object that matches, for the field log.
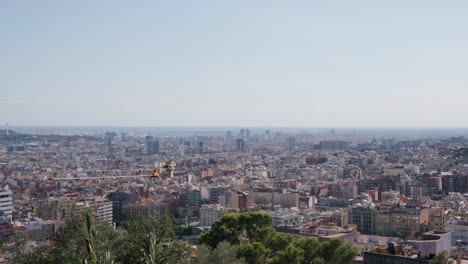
(266, 245)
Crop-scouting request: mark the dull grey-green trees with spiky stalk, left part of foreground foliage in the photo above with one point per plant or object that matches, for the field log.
(145, 241)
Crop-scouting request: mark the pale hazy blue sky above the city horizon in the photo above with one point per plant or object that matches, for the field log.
(236, 63)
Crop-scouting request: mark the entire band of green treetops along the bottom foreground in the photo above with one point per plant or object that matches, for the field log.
(246, 238)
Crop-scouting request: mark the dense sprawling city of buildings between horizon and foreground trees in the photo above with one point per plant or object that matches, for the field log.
(402, 194)
